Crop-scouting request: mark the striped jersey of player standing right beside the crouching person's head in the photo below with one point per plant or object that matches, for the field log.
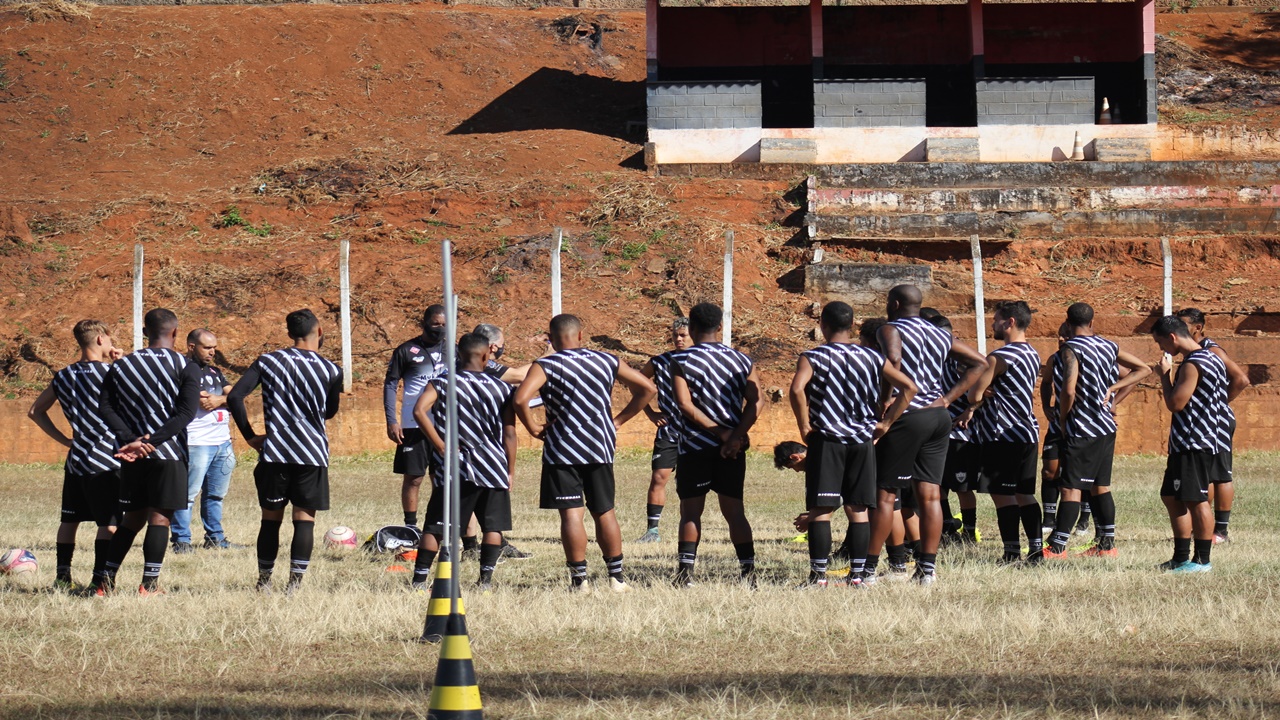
(844, 391)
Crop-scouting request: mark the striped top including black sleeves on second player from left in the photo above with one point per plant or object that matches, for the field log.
(154, 391)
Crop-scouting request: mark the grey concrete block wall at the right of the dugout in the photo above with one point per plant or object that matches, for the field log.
(1036, 102)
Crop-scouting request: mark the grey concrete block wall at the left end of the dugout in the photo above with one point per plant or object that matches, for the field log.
(705, 106)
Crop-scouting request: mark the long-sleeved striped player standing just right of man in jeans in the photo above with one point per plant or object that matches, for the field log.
(300, 391)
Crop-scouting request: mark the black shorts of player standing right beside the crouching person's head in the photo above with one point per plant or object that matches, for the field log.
(839, 475)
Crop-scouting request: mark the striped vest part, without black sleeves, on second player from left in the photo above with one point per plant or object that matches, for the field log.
(147, 386)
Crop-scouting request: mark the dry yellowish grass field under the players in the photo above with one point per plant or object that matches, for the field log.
(1087, 639)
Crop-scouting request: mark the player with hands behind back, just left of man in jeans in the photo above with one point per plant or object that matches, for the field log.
(148, 400)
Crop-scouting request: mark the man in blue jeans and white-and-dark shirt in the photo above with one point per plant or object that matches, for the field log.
(209, 448)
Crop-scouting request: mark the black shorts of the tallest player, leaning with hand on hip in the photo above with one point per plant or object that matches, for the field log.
(915, 449)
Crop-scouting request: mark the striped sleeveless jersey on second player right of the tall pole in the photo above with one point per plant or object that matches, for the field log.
(579, 400)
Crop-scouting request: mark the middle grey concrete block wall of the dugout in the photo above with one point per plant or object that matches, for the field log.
(868, 103)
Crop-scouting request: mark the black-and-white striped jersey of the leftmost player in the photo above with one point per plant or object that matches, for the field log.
(79, 389)
